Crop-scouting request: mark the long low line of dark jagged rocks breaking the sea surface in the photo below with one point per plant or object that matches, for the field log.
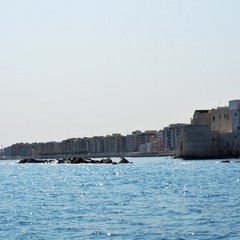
(75, 160)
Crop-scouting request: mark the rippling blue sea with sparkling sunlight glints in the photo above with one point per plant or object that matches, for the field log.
(153, 198)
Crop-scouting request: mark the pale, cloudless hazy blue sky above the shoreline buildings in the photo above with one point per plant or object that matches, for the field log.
(81, 68)
